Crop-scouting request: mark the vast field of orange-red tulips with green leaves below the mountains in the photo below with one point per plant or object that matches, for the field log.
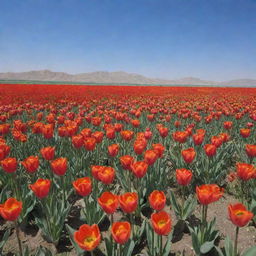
(127, 170)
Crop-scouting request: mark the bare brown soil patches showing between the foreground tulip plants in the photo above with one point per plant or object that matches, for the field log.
(32, 237)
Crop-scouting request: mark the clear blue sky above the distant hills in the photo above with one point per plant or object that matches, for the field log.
(210, 39)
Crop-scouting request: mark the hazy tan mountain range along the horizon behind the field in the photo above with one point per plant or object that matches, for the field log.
(118, 77)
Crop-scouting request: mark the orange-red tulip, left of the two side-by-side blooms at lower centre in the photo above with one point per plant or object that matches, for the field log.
(108, 202)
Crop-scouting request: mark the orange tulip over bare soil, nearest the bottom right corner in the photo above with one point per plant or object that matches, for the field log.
(239, 215)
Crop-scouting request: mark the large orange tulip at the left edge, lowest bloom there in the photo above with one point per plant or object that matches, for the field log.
(11, 209)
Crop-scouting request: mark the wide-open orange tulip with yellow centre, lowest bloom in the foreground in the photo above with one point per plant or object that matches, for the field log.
(88, 237)
